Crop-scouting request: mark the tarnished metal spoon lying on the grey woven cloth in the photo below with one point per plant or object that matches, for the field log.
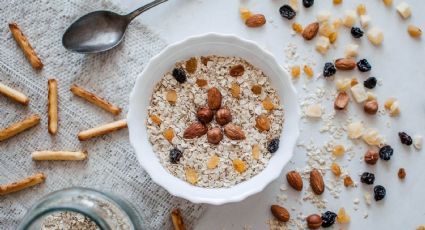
(100, 30)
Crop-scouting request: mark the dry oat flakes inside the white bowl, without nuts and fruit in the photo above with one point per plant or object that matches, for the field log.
(197, 152)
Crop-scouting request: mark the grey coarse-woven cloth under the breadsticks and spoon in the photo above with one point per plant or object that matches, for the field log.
(112, 165)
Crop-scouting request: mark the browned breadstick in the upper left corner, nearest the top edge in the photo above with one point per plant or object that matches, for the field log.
(25, 46)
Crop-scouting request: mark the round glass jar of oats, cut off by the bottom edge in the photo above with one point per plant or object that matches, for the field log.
(100, 210)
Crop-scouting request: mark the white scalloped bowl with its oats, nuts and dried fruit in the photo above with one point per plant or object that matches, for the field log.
(213, 119)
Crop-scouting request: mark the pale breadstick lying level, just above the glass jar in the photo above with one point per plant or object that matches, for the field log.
(58, 156)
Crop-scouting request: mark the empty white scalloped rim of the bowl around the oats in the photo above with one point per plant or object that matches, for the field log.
(223, 45)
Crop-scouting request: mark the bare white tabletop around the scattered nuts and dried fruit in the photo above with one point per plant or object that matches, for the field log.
(398, 62)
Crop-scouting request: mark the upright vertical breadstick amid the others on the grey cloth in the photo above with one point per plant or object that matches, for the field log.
(52, 106)
